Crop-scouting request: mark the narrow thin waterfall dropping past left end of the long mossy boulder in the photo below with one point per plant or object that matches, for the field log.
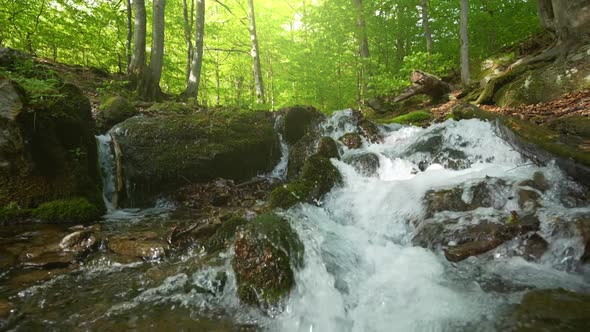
(108, 169)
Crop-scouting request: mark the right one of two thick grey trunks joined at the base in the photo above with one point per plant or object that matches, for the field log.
(149, 87)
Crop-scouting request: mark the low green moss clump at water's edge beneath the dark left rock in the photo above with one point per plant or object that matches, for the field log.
(74, 210)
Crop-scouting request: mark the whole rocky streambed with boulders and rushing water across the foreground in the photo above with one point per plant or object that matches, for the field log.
(357, 228)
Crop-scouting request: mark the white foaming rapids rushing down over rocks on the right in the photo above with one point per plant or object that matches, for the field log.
(362, 272)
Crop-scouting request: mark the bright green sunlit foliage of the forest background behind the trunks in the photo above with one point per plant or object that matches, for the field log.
(309, 50)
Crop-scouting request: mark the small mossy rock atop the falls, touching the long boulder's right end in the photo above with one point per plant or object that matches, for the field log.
(297, 121)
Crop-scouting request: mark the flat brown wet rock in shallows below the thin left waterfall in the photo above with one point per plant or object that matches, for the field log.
(147, 246)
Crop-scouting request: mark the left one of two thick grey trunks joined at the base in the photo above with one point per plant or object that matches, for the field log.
(137, 64)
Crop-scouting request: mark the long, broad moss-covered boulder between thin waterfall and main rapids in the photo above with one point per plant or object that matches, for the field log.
(162, 153)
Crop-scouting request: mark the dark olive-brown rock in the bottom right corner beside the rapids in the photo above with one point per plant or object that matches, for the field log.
(552, 310)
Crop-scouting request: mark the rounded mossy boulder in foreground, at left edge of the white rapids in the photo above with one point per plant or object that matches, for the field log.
(267, 250)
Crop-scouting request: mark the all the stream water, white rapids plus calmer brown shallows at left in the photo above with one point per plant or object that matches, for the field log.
(361, 271)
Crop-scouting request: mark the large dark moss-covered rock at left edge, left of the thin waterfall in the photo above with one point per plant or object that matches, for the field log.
(59, 159)
